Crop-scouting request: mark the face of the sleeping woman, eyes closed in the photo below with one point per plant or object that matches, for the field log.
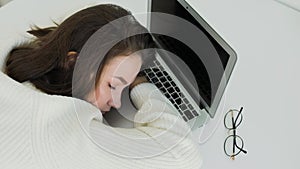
(116, 75)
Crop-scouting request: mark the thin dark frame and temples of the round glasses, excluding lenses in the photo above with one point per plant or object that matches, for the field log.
(234, 135)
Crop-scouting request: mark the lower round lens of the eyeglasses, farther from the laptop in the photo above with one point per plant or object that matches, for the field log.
(233, 145)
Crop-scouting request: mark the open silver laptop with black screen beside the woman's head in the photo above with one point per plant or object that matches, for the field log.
(191, 71)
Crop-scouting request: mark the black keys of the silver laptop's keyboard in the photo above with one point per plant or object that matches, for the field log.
(162, 80)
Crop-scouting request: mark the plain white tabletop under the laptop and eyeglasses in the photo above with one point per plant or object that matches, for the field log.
(265, 81)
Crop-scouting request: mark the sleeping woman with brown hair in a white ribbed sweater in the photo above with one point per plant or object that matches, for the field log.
(80, 69)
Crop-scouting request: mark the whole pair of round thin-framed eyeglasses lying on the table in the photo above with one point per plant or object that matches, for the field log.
(233, 144)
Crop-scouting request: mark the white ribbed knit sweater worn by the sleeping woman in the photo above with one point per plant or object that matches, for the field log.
(40, 131)
